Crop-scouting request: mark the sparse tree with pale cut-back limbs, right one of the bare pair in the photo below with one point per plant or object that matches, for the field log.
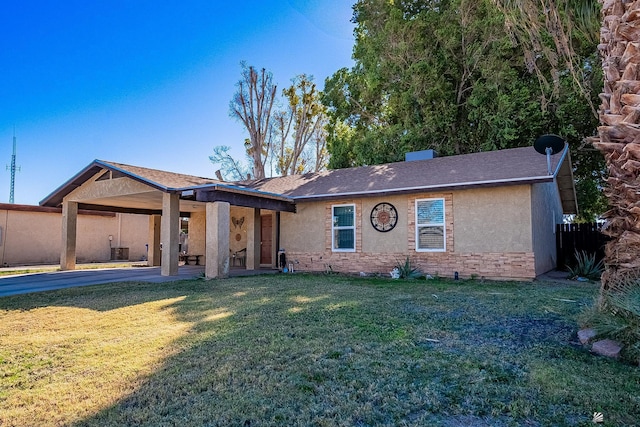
(301, 122)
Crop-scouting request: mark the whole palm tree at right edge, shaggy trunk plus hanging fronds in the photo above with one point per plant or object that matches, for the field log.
(619, 134)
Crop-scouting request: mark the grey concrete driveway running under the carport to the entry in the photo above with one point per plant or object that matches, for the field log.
(38, 282)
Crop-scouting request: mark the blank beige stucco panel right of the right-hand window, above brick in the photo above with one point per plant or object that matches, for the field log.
(493, 219)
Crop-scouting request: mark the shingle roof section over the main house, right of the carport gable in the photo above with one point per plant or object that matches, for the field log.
(504, 167)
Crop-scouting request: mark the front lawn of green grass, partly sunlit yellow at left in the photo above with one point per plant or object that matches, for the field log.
(307, 350)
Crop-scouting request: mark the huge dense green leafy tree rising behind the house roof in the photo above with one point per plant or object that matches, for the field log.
(448, 75)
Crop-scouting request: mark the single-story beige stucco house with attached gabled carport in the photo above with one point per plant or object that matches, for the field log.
(489, 214)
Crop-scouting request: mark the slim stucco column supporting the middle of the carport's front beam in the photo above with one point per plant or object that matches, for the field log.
(170, 233)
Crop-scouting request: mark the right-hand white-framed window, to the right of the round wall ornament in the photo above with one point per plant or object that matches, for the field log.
(430, 227)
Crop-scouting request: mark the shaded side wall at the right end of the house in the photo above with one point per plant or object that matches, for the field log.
(546, 208)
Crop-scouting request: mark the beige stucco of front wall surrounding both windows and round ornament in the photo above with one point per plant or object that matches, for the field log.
(484, 220)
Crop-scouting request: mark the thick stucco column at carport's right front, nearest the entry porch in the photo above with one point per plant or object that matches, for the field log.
(217, 240)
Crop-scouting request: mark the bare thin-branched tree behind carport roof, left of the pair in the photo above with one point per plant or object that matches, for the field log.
(252, 105)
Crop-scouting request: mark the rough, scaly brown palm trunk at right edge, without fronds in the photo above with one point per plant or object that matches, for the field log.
(619, 139)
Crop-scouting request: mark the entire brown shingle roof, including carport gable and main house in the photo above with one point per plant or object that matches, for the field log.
(493, 168)
